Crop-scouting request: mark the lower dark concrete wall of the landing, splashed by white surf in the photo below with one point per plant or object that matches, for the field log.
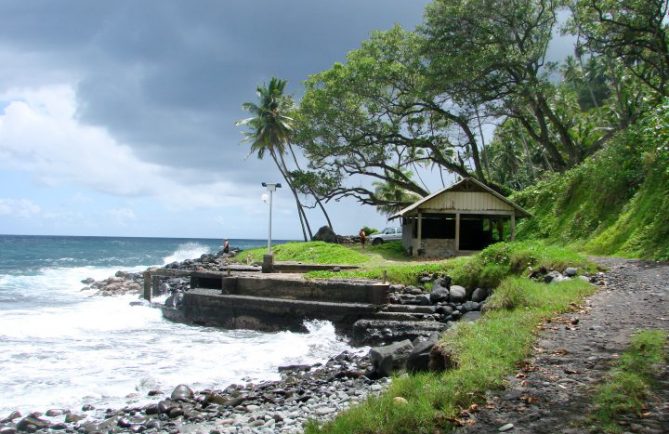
(210, 307)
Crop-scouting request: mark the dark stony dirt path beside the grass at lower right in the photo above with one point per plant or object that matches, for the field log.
(552, 394)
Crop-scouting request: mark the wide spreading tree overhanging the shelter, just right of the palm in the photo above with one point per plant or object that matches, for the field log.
(376, 116)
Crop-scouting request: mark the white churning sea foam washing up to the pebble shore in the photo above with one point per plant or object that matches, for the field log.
(68, 347)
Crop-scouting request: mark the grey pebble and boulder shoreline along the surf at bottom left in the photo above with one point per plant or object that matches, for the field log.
(316, 392)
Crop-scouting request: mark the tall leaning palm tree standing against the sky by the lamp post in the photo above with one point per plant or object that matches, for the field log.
(269, 130)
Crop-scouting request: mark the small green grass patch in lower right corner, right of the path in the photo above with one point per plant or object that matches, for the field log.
(628, 385)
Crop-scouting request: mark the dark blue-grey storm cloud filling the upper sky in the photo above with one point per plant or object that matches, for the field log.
(168, 78)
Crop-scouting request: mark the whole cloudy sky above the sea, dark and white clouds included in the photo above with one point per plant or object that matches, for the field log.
(118, 118)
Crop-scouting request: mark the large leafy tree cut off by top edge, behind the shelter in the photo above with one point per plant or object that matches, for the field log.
(494, 52)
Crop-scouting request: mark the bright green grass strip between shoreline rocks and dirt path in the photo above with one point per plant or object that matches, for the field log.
(485, 352)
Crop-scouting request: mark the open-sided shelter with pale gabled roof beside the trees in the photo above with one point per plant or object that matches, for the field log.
(465, 217)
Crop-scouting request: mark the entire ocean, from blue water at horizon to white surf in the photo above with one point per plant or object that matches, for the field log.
(62, 348)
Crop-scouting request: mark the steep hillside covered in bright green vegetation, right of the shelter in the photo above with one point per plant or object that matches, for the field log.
(615, 203)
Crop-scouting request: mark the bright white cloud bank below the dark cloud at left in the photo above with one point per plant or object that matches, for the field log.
(40, 134)
